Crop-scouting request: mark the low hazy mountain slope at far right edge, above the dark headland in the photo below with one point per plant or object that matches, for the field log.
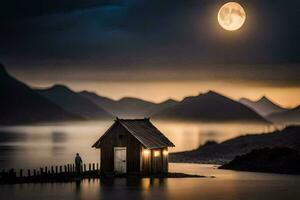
(289, 117)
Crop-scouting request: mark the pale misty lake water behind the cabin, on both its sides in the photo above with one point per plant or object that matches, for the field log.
(44, 145)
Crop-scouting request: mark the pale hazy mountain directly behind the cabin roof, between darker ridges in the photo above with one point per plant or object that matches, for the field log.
(128, 107)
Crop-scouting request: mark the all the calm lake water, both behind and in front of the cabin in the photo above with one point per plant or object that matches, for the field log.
(35, 146)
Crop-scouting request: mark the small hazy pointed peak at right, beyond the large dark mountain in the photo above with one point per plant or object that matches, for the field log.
(263, 106)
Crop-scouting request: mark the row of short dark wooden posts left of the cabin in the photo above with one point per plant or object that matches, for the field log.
(52, 170)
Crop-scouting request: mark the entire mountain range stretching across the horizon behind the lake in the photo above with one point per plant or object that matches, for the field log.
(22, 104)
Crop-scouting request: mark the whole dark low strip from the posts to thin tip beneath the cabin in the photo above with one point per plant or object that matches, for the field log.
(67, 173)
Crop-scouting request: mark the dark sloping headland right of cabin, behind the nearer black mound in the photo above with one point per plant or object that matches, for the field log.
(229, 149)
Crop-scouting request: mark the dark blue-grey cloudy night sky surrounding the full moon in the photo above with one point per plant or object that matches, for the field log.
(155, 35)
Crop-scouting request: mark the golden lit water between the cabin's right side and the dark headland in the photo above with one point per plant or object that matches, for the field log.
(189, 135)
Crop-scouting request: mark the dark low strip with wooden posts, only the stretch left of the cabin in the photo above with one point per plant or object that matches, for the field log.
(61, 173)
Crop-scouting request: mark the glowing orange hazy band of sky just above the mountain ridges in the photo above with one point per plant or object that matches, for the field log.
(159, 90)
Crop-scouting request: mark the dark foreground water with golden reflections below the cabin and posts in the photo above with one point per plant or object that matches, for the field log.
(228, 185)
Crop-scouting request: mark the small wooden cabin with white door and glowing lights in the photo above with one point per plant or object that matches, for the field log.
(133, 146)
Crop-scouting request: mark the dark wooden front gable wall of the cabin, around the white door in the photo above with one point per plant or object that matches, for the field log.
(118, 136)
